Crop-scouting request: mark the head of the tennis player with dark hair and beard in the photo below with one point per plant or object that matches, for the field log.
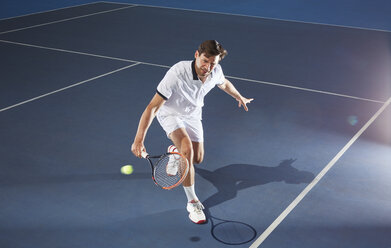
(207, 56)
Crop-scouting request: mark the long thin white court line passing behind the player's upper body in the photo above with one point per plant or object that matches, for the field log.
(165, 66)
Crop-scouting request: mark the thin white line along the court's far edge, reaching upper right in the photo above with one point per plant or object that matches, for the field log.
(257, 17)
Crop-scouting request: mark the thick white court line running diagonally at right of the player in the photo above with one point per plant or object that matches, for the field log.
(309, 187)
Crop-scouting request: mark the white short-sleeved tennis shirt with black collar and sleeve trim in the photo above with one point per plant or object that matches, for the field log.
(184, 92)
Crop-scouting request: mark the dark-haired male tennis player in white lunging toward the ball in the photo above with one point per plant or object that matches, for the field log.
(178, 106)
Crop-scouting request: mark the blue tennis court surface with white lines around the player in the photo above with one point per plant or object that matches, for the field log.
(307, 166)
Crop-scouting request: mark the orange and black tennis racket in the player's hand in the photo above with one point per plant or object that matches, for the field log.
(168, 170)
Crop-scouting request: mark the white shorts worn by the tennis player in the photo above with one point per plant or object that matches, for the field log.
(193, 126)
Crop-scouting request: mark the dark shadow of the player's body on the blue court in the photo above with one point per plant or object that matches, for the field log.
(229, 179)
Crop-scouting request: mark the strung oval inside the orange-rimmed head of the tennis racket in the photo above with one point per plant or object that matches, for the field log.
(170, 170)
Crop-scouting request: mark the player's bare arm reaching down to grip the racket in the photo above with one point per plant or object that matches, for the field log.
(145, 122)
